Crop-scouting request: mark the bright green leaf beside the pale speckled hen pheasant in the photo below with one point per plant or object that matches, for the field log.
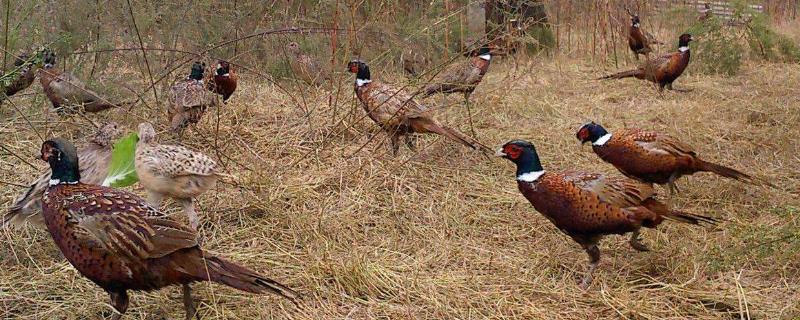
(122, 170)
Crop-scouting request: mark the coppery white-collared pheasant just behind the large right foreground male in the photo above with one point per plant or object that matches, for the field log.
(650, 156)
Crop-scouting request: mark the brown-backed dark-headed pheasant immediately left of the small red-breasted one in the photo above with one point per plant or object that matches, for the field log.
(189, 100)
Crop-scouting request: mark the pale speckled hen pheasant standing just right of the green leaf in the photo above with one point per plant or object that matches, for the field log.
(173, 171)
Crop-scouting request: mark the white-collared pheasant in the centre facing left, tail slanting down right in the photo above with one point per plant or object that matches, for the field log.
(398, 113)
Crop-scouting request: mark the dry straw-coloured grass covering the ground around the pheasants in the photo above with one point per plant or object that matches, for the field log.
(443, 233)
